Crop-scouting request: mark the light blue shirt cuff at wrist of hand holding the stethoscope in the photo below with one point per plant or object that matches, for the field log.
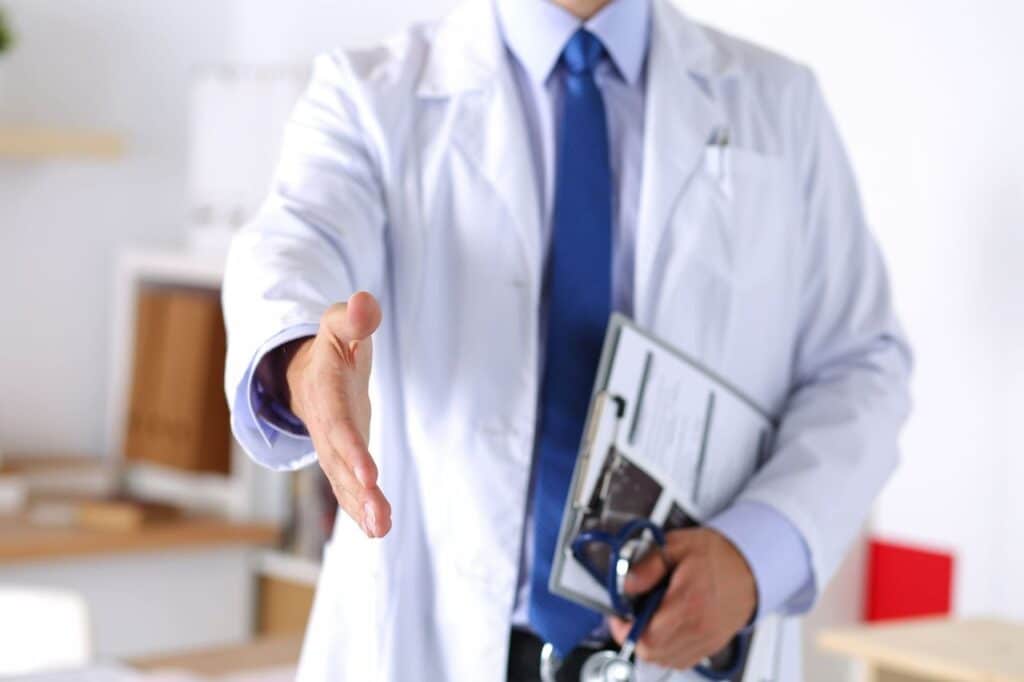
(776, 552)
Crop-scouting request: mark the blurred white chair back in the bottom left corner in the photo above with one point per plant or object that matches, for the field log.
(42, 629)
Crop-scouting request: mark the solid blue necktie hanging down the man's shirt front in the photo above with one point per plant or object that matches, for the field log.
(579, 286)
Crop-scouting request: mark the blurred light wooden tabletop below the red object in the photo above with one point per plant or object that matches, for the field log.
(934, 651)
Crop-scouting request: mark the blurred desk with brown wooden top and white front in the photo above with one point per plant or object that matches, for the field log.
(178, 585)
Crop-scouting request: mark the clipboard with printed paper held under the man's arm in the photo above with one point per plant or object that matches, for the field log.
(666, 440)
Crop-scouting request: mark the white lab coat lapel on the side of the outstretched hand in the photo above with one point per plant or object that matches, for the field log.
(468, 66)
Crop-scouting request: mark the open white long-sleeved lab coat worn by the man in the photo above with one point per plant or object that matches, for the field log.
(407, 172)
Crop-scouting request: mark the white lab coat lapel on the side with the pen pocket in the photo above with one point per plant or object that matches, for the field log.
(682, 114)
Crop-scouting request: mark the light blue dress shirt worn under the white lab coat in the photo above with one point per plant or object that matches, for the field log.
(535, 33)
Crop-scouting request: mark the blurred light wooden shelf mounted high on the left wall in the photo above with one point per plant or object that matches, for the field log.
(40, 144)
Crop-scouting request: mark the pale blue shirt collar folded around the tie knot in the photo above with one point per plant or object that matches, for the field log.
(537, 31)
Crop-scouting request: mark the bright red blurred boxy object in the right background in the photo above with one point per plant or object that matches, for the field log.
(907, 582)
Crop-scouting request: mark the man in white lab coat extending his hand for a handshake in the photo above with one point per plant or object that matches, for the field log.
(476, 197)
